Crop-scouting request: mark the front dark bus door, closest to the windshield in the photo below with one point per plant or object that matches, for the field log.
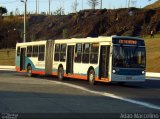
(104, 61)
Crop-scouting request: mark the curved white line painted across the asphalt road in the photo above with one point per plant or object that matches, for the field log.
(145, 104)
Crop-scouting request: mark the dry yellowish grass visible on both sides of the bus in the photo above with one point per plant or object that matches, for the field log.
(152, 49)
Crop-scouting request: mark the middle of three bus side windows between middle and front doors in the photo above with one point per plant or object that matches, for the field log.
(86, 50)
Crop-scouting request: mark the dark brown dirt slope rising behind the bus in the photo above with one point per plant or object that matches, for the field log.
(87, 23)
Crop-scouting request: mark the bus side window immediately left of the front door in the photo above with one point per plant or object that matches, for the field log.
(94, 53)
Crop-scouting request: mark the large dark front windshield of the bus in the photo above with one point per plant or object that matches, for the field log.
(129, 56)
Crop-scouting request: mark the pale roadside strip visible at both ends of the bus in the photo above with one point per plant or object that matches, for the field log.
(148, 74)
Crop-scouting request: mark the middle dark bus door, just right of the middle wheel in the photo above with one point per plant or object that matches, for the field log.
(70, 59)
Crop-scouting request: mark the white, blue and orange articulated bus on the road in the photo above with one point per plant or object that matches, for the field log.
(103, 59)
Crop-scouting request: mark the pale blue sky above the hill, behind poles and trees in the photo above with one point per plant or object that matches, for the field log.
(17, 5)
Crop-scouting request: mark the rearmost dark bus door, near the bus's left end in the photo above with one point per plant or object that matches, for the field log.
(22, 59)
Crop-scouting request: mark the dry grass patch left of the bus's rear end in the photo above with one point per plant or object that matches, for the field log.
(7, 57)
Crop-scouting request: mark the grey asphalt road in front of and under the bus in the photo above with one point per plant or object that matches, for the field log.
(41, 94)
